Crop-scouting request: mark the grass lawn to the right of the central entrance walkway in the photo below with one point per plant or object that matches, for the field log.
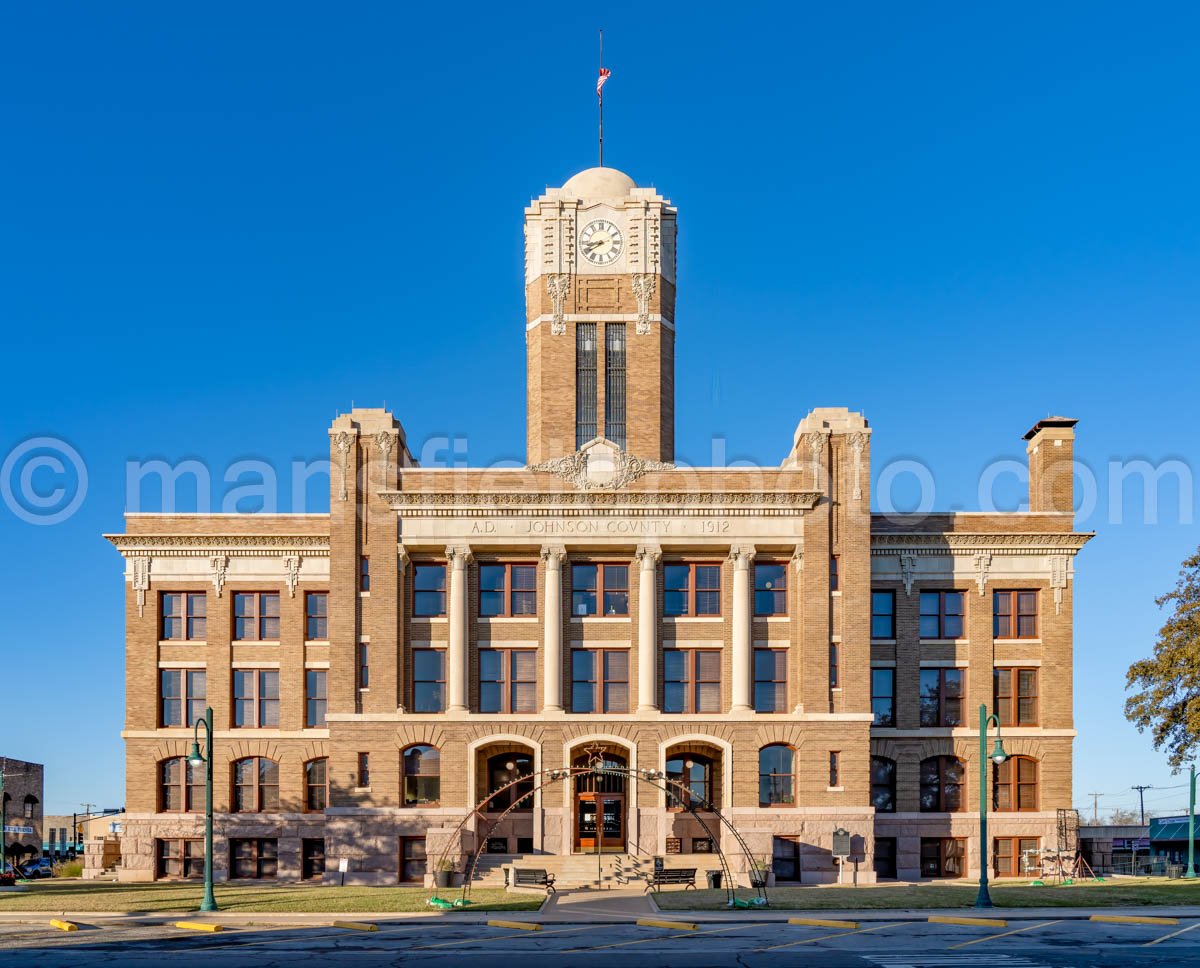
(1111, 894)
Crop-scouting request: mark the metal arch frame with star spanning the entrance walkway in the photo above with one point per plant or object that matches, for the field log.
(599, 767)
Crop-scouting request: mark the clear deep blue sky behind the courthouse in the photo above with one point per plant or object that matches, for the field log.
(223, 225)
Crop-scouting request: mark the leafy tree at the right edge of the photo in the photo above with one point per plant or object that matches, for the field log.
(1168, 701)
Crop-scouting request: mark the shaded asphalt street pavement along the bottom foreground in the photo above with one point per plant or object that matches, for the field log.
(1059, 942)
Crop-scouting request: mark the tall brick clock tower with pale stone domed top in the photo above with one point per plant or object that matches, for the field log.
(601, 287)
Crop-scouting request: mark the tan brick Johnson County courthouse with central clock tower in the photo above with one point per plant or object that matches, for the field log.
(757, 635)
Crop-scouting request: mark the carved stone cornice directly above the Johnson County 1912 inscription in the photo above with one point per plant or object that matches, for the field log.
(573, 503)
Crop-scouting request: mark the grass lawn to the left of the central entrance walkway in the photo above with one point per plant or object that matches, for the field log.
(89, 897)
